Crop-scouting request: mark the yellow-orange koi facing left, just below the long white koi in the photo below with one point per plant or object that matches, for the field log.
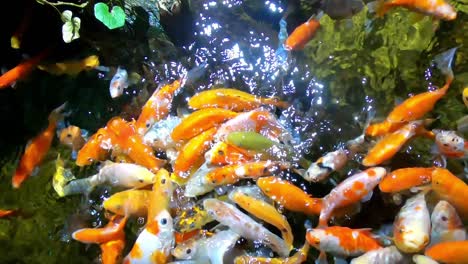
(128, 203)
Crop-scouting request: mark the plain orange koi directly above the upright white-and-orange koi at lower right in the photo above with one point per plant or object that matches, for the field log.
(405, 179)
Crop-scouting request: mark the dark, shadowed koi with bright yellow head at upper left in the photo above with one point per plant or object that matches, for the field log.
(72, 67)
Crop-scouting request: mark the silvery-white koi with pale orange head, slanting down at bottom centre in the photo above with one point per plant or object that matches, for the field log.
(245, 226)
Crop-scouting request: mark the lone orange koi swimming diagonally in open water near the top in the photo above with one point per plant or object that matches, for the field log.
(302, 35)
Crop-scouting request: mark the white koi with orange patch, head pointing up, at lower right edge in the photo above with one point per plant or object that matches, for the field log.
(446, 225)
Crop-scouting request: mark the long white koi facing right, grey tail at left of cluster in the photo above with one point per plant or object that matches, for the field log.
(125, 175)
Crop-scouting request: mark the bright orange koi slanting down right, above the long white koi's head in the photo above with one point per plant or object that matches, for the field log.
(131, 144)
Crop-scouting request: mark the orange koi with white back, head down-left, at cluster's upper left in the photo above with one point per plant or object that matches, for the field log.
(157, 107)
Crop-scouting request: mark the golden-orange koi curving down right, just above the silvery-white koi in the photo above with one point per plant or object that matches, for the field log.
(266, 212)
